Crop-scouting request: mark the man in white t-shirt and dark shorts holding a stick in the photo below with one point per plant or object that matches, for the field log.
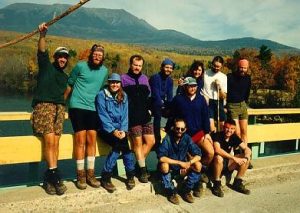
(215, 83)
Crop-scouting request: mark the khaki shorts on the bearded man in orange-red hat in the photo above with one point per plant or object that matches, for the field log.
(237, 111)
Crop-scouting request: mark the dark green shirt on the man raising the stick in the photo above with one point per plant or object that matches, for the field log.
(51, 82)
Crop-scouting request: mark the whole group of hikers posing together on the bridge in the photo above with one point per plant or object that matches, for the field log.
(202, 142)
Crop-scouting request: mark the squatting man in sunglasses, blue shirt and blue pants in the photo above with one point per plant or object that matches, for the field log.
(179, 155)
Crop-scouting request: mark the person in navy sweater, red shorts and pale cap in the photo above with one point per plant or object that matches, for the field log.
(192, 107)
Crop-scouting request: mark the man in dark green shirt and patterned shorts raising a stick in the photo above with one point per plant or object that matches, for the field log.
(49, 108)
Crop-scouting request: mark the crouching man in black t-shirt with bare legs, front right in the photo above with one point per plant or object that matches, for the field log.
(225, 142)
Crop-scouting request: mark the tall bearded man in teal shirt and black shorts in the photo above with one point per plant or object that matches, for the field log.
(85, 81)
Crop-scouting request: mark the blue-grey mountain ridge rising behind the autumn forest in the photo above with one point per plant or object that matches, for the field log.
(117, 25)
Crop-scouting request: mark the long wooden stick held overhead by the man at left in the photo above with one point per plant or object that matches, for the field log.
(67, 12)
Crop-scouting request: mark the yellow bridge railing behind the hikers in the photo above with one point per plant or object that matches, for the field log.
(24, 149)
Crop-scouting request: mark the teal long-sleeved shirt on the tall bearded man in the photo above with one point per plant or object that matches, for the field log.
(86, 83)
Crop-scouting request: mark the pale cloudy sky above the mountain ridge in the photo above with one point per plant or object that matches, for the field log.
(277, 20)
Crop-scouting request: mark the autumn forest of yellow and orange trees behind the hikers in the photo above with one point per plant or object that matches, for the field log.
(274, 78)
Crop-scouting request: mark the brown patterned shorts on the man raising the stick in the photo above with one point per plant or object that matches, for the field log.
(48, 118)
